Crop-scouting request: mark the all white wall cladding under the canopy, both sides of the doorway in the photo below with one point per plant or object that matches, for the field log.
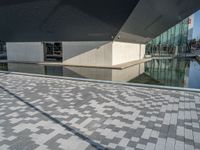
(88, 53)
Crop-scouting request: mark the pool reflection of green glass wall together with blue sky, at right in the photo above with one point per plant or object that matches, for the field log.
(174, 72)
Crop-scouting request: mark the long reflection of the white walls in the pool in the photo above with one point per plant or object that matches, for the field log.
(78, 72)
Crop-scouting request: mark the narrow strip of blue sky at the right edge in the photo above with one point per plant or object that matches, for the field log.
(196, 28)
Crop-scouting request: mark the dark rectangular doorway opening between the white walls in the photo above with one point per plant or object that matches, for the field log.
(53, 51)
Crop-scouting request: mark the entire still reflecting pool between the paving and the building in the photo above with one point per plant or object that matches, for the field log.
(166, 72)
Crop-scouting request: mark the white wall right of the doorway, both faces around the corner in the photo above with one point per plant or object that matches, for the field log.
(101, 53)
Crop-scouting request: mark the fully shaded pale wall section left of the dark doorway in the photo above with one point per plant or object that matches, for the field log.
(25, 51)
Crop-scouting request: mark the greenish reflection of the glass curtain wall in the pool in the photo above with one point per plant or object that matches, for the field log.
(171, 72)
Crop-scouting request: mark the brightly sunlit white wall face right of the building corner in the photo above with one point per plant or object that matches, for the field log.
(126, 52)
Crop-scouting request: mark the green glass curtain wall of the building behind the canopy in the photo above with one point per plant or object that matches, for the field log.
(170, 43)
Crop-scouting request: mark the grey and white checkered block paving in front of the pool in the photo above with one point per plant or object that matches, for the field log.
(38, 113)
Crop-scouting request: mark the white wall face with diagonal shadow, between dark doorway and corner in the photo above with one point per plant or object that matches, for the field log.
(97, 53)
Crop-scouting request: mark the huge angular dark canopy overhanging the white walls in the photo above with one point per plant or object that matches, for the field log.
(90, 20)
